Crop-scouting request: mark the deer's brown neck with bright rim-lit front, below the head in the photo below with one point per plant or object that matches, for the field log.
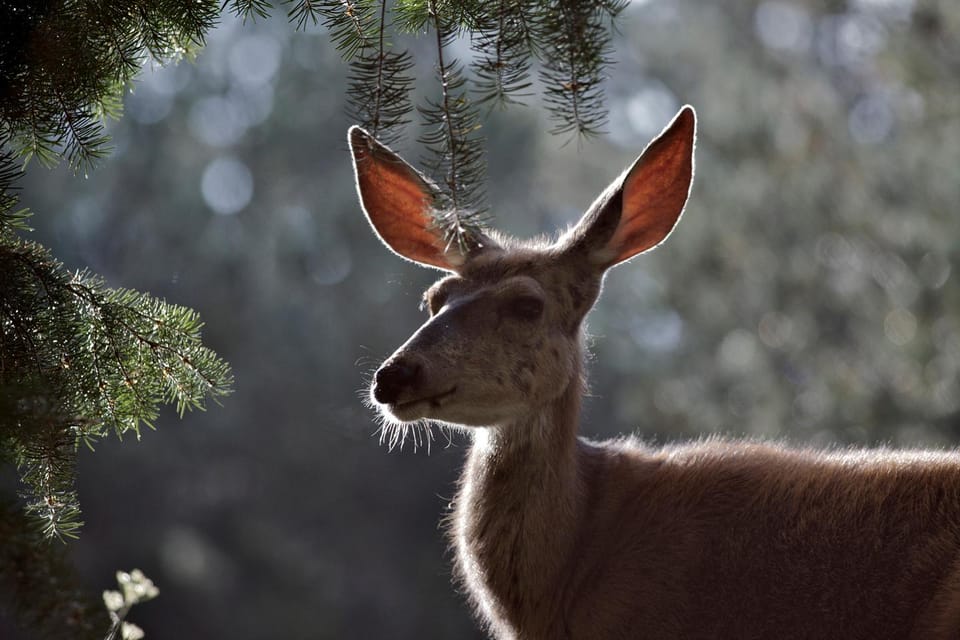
(516, 515)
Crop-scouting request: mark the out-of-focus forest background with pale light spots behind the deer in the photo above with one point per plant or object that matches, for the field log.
(808, 294)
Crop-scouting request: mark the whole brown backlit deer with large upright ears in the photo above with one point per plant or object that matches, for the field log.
(558, 537)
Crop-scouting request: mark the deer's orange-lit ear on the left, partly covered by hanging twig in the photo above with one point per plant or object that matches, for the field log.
(398, 202)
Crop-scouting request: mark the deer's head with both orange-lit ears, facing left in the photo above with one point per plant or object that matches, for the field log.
(503, 340)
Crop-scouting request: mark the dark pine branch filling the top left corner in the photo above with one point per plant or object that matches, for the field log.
(64, 67)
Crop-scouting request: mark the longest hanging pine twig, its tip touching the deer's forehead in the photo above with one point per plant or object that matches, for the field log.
(457, 150)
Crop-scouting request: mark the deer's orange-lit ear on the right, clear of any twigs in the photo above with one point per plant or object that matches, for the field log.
(640, 208)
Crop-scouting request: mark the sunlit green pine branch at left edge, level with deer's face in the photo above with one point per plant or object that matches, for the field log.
(78, 360)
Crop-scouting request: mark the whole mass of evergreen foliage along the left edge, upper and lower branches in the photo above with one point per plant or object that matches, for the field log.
(77, 359)
